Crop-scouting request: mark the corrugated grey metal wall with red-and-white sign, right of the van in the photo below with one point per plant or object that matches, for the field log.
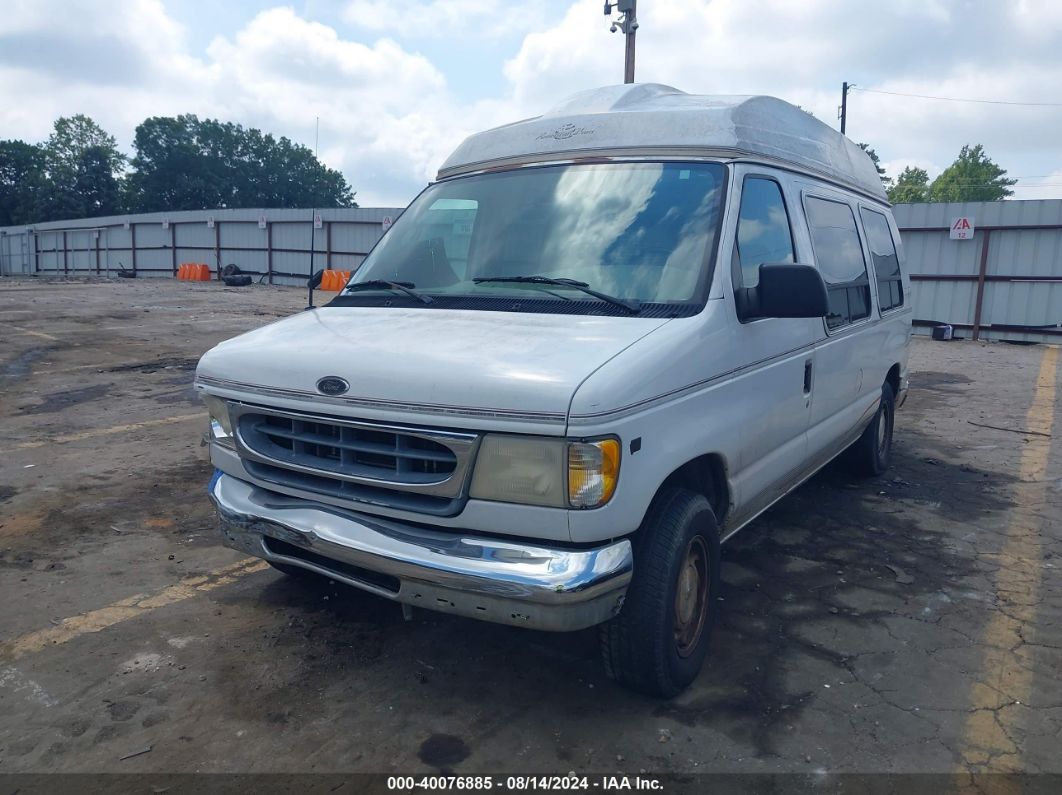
(1003, 284)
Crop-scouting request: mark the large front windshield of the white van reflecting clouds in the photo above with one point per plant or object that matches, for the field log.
(626, 235)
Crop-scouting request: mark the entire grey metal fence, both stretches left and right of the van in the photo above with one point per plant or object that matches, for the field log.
(1005, 282)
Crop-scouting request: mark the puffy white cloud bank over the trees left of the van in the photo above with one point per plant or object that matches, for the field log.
(385, 118)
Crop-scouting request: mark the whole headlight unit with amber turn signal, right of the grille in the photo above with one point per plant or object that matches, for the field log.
(546, 472)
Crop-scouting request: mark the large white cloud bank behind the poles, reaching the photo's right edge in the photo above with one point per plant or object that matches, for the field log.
(803, 51)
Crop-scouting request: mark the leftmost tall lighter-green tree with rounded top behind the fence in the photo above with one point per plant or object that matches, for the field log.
(84, 167)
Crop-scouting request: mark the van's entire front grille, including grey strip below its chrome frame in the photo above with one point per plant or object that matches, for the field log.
(354, 461)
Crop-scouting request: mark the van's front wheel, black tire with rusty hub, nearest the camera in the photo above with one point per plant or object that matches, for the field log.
(659, 642)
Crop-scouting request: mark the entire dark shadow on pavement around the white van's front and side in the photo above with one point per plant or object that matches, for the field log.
(838, 554)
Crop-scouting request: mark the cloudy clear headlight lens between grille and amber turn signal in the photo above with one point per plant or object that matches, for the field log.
(524, 470)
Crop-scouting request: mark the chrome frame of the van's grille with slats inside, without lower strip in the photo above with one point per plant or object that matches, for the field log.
(417, 461)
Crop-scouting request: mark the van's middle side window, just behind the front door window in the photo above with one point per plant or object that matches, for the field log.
(840, 256)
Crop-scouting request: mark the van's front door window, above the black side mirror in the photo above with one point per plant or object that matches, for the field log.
(763, 231)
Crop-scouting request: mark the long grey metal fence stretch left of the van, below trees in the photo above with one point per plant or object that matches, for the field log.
(272, 245)
